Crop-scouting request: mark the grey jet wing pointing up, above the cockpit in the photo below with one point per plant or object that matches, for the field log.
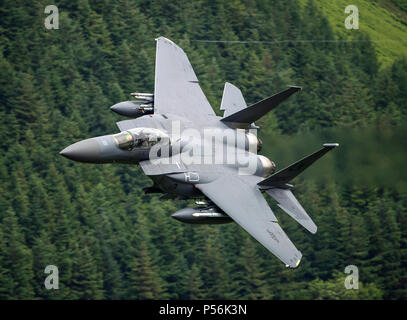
(177, 90)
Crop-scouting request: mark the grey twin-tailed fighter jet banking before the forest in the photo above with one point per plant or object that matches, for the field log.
(189, 152)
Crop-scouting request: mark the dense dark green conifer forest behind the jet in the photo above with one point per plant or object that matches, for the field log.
(110, 240)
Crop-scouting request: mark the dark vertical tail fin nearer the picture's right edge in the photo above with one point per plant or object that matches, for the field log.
(282, 177)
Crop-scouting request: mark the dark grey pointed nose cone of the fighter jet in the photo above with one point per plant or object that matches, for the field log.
(84, 151)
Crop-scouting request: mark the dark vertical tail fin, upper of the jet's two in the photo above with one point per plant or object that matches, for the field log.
(259, 109)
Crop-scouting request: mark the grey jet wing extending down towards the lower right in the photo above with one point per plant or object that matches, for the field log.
(240, 198)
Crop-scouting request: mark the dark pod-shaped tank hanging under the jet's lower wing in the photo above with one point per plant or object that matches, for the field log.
(201, 215)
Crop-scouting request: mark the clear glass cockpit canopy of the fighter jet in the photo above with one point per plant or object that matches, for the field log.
(140, 138)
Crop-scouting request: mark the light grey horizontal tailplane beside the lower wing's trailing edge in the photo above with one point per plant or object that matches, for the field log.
(287, 202)
